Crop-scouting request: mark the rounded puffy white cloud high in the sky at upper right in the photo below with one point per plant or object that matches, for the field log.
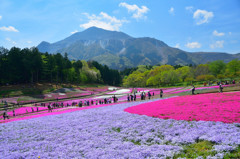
(202, 16)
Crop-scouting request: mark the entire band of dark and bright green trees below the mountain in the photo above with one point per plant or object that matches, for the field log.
(28, 65)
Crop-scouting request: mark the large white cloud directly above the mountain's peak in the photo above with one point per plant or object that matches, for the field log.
(103, 21)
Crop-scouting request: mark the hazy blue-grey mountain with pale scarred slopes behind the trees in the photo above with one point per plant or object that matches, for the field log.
(119, 50)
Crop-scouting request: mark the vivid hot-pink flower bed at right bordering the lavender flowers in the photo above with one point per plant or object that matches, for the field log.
(224, 107)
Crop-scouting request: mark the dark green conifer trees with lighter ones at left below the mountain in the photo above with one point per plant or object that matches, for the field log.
(28, 65)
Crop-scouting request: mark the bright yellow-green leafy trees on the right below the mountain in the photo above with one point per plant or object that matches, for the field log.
(164, 75)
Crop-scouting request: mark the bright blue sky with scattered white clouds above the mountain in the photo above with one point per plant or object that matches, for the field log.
(196, 25)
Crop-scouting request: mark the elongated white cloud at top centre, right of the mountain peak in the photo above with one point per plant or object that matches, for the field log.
(137, 12)
